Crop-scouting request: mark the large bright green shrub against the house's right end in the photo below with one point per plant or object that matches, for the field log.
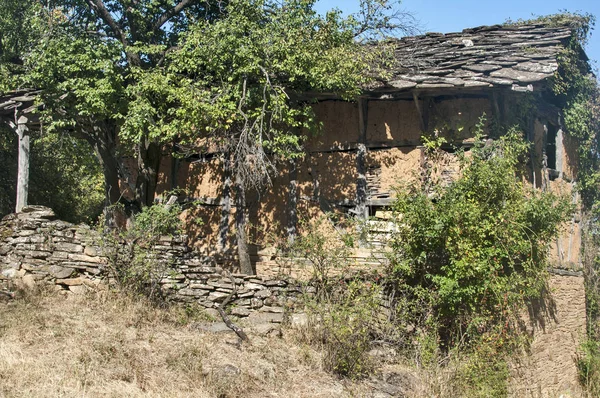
(475, 250)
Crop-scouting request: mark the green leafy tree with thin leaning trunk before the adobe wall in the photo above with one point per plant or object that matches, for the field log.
(242, 81)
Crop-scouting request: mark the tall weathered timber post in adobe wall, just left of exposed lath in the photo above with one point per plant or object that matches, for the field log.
(361, 161)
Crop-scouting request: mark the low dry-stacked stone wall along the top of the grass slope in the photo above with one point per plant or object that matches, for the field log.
(35, 248)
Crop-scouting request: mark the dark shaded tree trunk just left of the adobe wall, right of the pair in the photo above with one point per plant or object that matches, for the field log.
(148, 163)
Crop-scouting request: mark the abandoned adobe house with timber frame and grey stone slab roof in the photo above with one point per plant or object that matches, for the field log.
(442, 84)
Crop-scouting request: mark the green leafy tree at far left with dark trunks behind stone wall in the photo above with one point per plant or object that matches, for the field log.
(85, 56)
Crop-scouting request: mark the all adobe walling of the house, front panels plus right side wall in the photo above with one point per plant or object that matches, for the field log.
(326, 178)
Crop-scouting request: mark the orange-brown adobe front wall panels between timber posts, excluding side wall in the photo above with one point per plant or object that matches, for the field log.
(326, 177)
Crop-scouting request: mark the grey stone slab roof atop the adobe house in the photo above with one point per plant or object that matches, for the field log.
(515, 56)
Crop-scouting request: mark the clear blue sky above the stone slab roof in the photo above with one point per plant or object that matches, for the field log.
(455, 15)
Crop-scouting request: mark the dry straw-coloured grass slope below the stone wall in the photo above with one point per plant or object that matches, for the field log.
(106, 345)
